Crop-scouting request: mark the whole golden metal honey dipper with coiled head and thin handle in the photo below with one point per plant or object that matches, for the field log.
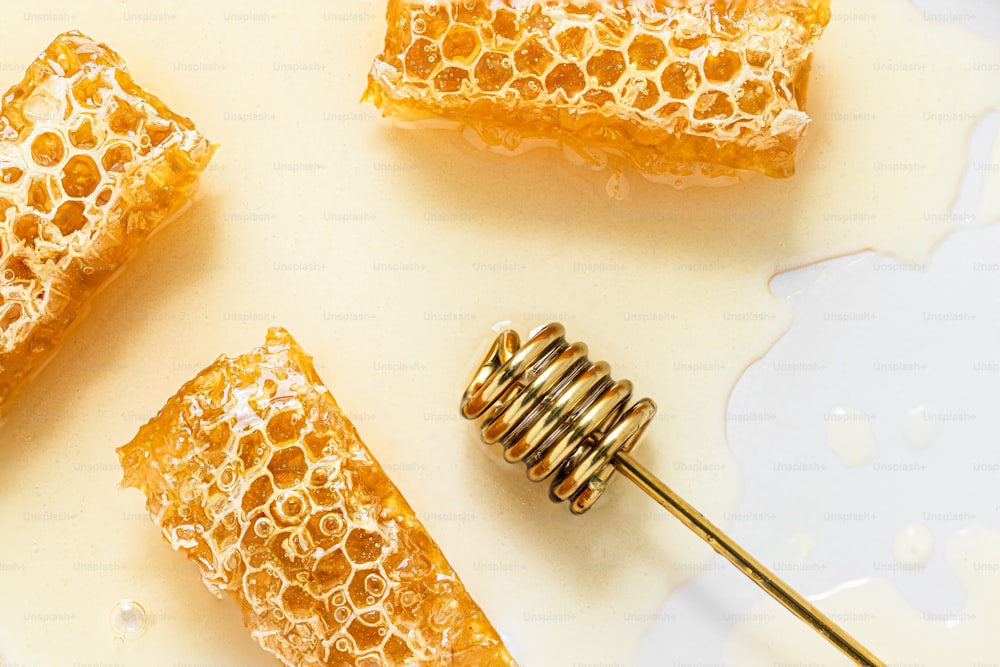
(551, 407)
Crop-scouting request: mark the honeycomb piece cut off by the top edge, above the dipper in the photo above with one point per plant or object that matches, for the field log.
(678, 88)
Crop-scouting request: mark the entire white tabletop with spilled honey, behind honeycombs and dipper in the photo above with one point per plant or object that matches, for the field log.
(836, 420)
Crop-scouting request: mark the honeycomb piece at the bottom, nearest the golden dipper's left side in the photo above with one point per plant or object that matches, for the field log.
(253, 472)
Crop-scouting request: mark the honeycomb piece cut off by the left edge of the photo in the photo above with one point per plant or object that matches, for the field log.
(90, 164)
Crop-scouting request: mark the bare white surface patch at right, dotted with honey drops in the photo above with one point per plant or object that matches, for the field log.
(902, 501)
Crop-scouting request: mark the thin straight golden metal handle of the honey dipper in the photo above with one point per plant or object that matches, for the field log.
(746, 563)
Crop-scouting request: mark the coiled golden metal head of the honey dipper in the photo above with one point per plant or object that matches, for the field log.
(548, 405)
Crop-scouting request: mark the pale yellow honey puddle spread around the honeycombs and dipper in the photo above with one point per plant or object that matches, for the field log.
(390, 253)
